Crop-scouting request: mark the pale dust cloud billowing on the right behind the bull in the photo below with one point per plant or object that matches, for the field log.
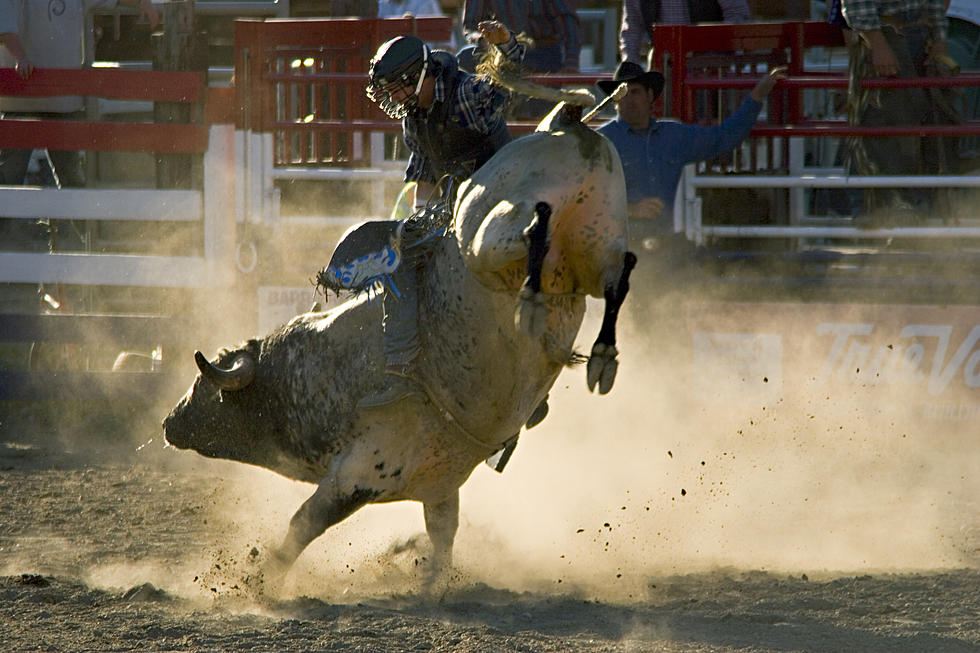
(645, 482)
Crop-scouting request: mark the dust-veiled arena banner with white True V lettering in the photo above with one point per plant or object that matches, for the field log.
(757, 351)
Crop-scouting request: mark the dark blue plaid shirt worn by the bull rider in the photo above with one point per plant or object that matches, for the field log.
(478, 103)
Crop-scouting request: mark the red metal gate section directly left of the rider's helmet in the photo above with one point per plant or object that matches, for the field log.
(303, 81)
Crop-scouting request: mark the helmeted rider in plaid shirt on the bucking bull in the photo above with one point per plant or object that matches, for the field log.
(453, 122)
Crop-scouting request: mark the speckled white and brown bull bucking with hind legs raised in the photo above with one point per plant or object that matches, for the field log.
(537, 228)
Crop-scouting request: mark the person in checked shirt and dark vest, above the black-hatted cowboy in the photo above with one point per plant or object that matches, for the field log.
(640, 17)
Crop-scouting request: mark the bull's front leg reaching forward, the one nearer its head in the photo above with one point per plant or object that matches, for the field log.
(325, 508)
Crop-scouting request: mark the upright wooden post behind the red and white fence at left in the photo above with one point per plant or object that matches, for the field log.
(178, 46)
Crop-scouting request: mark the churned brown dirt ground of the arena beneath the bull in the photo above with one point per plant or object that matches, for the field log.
(146, 548)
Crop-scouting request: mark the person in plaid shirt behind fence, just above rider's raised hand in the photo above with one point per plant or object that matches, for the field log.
(552, 26)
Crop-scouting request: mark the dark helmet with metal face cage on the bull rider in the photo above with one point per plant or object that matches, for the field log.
(400, 63)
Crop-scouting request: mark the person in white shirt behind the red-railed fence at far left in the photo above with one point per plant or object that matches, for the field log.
(39, 33)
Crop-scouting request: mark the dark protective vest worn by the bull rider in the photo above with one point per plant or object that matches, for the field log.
(450, 147)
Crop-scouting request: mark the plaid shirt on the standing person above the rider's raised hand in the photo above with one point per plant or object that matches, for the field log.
(553, 21)
